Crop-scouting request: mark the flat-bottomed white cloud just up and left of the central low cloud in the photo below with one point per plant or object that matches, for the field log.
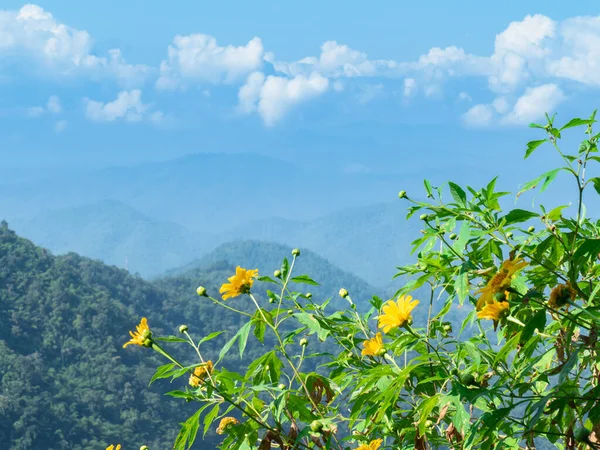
(197, 58)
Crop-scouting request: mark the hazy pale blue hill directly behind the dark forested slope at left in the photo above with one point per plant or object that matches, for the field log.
(116, 234)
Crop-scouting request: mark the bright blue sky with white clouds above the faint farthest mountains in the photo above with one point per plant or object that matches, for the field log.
(346, 84)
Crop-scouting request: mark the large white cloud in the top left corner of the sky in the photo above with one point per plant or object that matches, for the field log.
(32, 37)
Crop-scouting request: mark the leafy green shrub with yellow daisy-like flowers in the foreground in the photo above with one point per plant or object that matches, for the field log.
(521, 371)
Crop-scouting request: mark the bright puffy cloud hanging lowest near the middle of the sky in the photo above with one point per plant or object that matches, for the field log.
(273, 96)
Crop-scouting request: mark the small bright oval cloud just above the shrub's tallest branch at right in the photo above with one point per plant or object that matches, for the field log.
(534, 103)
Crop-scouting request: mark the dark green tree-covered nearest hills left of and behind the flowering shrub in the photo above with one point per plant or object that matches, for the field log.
(65, 380)
